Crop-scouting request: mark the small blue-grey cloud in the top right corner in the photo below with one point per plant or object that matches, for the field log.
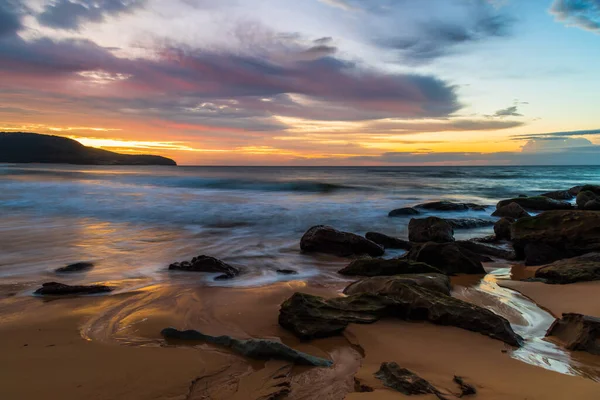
(584, 14)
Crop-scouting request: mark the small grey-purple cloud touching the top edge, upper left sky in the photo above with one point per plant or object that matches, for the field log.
(71, 14)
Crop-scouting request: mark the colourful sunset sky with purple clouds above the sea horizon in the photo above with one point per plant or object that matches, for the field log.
(311, 82)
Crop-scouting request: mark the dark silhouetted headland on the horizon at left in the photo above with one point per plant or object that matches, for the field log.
(22, 147)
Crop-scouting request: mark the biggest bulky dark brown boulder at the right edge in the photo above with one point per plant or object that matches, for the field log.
(567, 233)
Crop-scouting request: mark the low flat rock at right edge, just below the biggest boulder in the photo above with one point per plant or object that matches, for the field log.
(578, 269)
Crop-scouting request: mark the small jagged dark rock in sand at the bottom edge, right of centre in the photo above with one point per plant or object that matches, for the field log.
(404, 381)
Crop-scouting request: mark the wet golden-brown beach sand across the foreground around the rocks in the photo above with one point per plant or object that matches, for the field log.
(110, 348)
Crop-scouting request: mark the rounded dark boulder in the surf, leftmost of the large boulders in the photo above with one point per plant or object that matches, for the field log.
(325, 239)
